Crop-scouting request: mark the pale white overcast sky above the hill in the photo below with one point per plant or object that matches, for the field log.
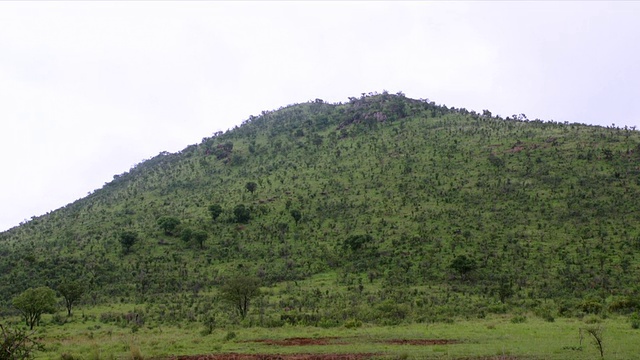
(88, 89)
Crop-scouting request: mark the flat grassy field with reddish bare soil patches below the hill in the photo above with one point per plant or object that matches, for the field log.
(498, 337)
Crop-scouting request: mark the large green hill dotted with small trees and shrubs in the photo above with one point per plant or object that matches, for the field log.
(381, 209)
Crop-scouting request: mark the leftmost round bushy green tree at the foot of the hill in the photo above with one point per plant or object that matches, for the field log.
(34, 302)
